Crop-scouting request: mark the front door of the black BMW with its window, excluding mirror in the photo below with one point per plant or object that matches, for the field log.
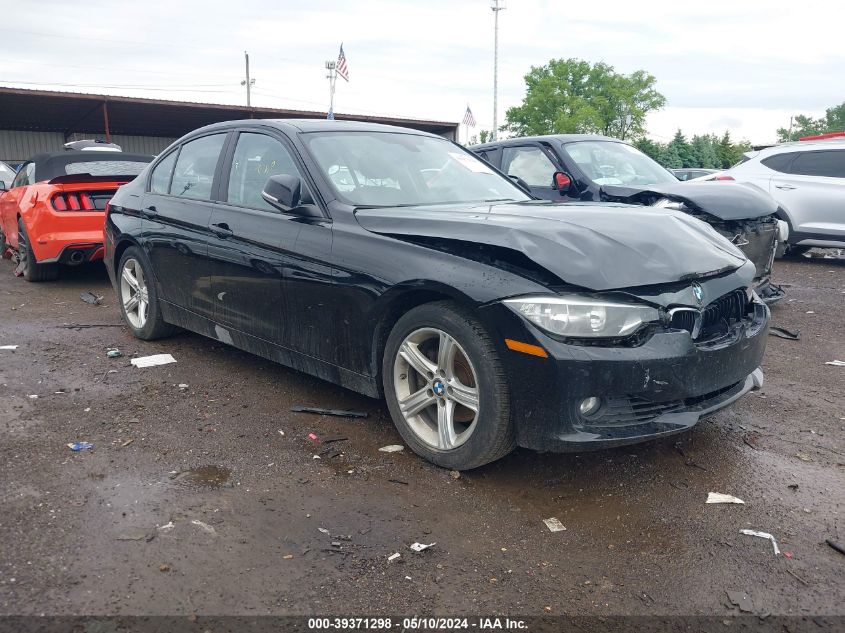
(251, 242)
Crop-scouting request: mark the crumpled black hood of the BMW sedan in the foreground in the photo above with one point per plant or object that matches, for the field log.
(594, 246)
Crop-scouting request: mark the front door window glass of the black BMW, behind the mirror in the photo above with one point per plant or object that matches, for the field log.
(257, 158)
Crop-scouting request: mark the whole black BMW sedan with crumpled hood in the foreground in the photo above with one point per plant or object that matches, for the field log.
(399, 265)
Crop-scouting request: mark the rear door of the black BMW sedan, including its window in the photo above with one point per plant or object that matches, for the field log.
(176, 211)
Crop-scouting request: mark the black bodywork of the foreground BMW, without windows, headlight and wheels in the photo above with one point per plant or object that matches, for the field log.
(320, 292)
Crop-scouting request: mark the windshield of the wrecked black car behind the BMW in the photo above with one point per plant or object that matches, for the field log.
(611, 163)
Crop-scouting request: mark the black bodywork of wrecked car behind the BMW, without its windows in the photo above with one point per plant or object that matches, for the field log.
(743, 214)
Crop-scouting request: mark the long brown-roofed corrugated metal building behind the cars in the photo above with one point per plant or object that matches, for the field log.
(34, 121)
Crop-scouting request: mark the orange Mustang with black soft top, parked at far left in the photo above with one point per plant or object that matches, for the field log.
(54, 210)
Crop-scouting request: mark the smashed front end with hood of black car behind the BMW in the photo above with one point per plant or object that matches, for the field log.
(742, 213)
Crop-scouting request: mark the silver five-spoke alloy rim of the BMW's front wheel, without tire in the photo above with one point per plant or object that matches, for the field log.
(436, 388)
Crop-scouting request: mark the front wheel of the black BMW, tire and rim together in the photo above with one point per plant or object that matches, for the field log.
(436, 423)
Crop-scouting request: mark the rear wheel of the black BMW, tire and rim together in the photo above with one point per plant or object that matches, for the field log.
(138, 299)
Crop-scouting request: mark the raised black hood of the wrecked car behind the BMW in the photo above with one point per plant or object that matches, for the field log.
(724, 200)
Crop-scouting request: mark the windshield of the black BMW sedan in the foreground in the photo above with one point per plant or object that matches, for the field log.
(391, 169)
